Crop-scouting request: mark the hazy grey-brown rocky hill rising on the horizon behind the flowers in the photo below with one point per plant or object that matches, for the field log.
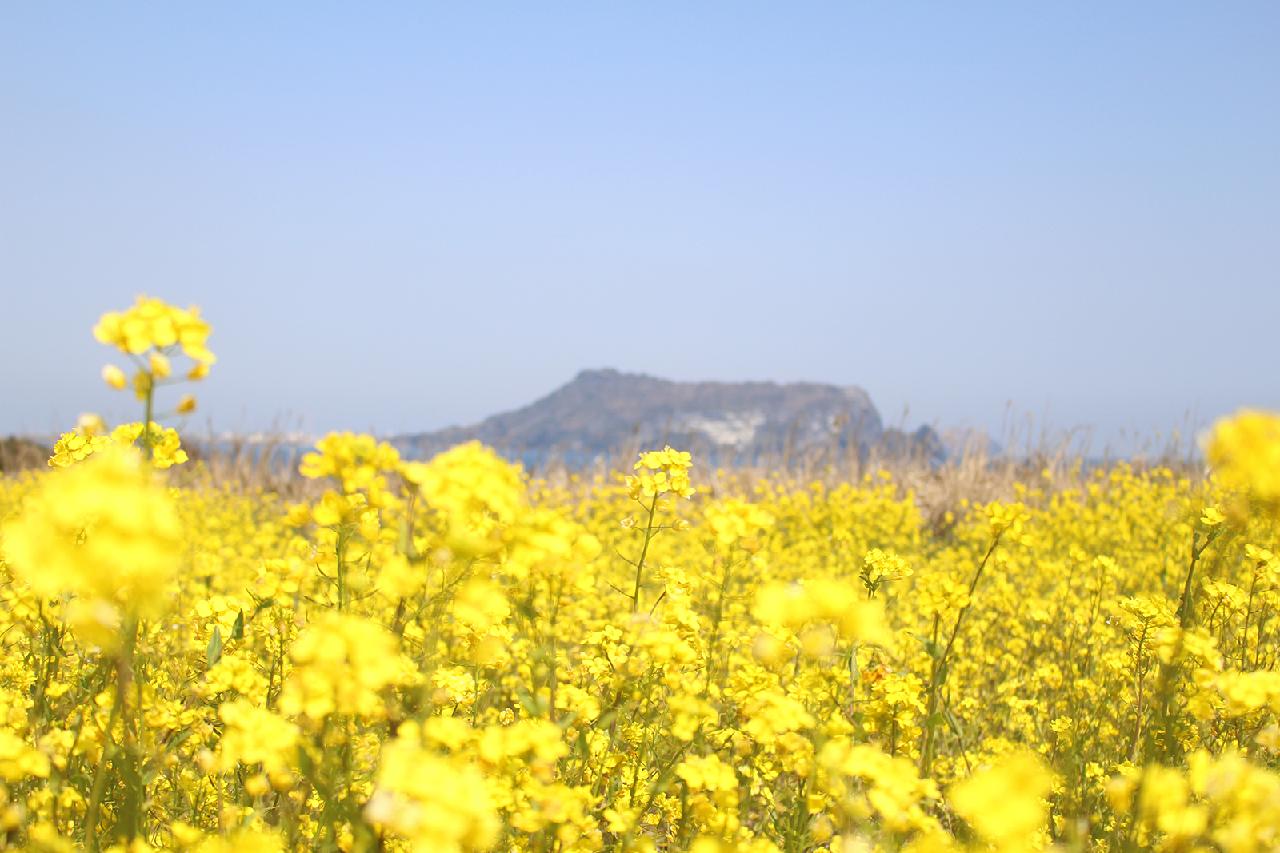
(602, 413)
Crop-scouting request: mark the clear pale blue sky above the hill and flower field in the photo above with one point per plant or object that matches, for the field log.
(406, 216)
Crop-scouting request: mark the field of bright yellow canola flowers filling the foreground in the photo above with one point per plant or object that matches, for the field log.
(449, 655)
